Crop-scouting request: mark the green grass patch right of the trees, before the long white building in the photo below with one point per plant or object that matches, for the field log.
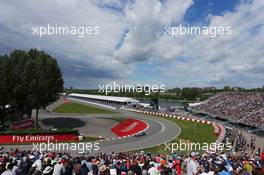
(78, 108)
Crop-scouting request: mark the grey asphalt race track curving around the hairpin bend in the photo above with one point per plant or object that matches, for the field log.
(160, 131)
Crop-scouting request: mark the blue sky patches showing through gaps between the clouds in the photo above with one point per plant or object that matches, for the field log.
(196, 14)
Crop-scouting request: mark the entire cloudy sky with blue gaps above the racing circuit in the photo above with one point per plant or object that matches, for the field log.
(132, 46)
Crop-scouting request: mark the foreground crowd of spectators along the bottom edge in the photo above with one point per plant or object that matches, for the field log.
(15, 162)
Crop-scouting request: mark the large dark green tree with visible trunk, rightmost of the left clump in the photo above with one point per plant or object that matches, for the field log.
(45, 82)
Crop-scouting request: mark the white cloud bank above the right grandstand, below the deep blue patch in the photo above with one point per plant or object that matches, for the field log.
(235, 59)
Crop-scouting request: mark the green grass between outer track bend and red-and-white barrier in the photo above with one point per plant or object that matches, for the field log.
(190, 132)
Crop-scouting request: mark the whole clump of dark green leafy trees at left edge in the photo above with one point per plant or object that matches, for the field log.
(28, 80)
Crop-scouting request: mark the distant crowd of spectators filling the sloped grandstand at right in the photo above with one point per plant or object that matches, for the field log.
(241, 107)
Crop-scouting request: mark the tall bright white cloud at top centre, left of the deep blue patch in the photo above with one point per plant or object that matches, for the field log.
(146, 19)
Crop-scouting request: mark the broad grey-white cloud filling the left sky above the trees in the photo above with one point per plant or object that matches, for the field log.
(18, 18)
